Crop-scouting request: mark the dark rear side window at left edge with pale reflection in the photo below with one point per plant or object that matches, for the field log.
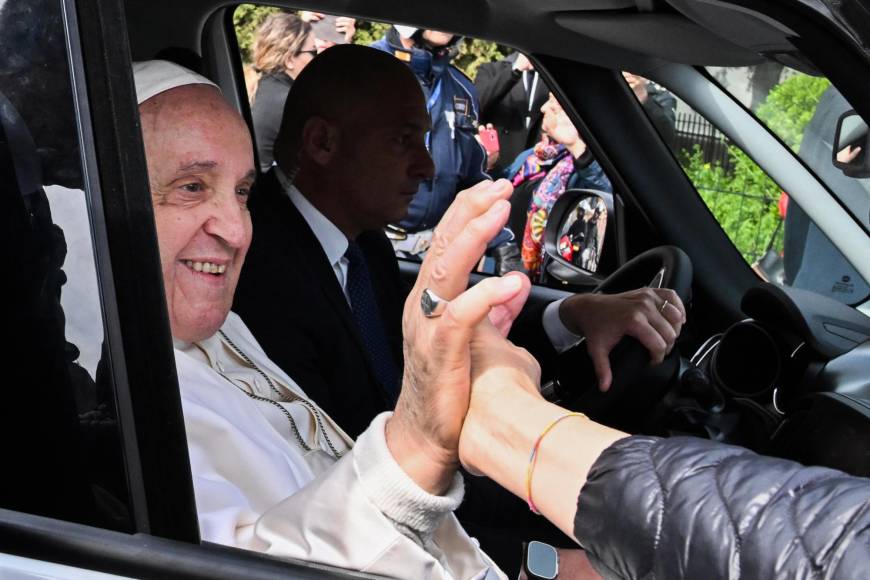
(62, 454)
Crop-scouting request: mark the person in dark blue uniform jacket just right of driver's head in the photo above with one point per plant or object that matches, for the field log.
(460, 160)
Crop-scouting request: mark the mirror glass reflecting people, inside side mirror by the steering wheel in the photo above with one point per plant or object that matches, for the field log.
(581, 234)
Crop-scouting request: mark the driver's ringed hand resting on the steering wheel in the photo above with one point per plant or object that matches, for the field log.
(605, 318)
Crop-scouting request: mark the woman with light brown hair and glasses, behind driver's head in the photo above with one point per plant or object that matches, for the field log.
(284, 44)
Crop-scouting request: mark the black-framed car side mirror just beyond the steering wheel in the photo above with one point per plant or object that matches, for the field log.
(580, 238)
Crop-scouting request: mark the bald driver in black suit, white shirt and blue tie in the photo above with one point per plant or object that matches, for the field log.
(321, 283)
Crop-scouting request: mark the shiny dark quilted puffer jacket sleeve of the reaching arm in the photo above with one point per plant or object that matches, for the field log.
(690, 508)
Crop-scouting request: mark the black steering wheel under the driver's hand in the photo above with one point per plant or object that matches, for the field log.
(636, 385)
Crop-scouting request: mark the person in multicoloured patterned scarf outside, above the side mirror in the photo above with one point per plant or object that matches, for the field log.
(559, 161)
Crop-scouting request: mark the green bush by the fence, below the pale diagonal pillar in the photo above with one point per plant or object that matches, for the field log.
(743, 199)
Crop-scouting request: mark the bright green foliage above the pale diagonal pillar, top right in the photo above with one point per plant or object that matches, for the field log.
(790, 106)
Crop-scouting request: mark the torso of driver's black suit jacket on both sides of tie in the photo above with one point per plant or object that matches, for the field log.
(289, 297)
